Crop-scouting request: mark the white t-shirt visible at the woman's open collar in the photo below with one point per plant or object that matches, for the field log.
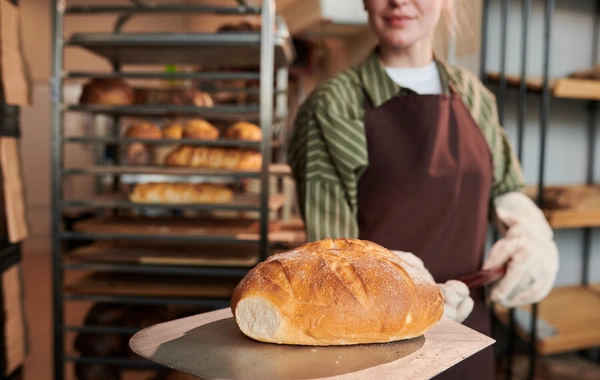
(422, 80)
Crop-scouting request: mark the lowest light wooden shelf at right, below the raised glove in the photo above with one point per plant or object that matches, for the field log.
(574, 311)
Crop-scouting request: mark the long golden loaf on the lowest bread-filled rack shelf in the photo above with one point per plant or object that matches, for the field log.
(181, 193)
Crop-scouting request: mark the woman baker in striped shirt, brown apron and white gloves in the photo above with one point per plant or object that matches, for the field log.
(407, 151)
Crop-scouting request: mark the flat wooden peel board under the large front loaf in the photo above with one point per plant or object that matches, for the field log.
(211, 346)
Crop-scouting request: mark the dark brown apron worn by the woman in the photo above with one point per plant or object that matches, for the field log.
(426, 191)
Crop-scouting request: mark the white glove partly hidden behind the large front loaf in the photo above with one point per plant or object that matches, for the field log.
(457, 303)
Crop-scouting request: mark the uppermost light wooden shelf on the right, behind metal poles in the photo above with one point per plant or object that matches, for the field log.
(570, 88)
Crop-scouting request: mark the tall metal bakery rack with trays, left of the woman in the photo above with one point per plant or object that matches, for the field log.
(139, 261)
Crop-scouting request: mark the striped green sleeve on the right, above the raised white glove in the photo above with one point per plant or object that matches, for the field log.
(508, 175)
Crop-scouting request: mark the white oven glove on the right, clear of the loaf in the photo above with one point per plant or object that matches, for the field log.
(529, 250)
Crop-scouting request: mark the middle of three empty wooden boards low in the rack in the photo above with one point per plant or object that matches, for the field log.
(158, 253)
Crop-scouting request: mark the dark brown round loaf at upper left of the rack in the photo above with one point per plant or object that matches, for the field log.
(107, 92)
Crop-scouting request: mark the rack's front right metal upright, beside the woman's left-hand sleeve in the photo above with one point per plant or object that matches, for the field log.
(267, 57)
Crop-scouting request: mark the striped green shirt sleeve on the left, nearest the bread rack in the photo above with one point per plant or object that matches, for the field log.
(327, 155)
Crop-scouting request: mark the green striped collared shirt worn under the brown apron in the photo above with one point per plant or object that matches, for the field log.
(328, 151)
